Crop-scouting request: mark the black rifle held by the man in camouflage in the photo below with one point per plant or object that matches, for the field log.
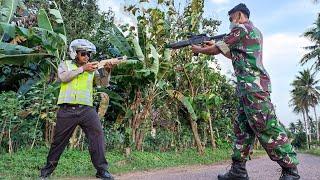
(193, 40)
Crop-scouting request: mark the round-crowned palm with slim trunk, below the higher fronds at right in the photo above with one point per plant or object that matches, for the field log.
(305, 95)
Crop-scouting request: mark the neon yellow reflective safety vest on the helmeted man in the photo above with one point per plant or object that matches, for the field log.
(79, 89)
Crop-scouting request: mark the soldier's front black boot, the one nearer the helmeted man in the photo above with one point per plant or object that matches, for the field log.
(237, 172)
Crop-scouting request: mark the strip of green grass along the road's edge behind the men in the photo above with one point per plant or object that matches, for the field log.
(25, 164)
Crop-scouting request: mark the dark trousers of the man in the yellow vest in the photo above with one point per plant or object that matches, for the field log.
(68, 117)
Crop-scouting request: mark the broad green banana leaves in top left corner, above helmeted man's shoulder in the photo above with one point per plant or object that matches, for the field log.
(45, 42)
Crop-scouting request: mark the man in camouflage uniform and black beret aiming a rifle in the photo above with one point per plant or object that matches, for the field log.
(256, 114)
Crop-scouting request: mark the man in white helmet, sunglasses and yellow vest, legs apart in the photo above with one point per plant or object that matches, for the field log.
(76, 108)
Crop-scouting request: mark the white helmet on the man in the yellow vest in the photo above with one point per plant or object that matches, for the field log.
(80, 45)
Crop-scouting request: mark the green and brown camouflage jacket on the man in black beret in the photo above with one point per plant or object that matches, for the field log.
(245, 45)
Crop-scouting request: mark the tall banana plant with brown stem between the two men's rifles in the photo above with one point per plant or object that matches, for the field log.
(145, 77)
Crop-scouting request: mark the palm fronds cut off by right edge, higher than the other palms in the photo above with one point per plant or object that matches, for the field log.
(313, 34)
